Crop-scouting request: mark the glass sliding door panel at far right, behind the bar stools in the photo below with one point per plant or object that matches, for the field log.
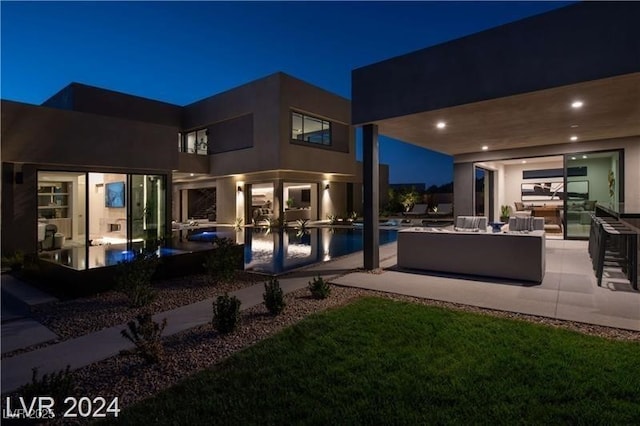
(591, 178)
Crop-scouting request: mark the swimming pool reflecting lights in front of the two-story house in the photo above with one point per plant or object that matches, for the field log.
(275, 252)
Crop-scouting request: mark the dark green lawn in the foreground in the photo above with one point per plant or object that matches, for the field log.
(379, 361)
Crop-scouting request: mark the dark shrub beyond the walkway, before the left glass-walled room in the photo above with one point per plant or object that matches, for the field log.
(133, 278)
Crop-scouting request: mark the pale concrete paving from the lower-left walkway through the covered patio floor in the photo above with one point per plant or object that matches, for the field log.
(569, 291)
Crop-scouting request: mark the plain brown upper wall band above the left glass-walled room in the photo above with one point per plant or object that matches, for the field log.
(35, 134)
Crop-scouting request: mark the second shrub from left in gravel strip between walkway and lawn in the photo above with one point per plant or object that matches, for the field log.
(145, 334)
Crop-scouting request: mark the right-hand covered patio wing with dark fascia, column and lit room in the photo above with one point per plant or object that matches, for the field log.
(540, 114)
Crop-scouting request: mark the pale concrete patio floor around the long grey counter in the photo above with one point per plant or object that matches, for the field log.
(569, 290)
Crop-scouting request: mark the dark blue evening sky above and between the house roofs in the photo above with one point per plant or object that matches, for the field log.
(181, 52)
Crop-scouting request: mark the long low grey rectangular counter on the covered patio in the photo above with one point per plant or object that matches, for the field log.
(511, 255)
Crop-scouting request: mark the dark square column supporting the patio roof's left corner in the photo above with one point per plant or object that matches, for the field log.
(370, 168)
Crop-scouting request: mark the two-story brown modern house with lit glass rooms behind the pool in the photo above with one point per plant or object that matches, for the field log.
(104, 167)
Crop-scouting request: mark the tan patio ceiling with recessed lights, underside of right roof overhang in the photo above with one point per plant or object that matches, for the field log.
(611, 110)
